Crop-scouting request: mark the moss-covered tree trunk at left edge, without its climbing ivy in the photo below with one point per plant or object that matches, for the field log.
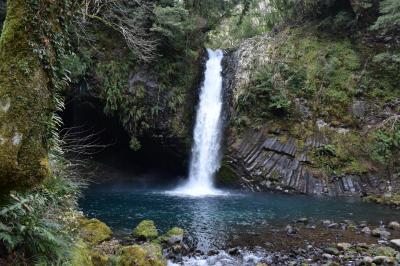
(25, 102)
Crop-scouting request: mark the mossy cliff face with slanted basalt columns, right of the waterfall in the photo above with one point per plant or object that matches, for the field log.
(305, 108)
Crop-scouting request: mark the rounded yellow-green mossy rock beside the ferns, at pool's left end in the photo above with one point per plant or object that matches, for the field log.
(94, 231)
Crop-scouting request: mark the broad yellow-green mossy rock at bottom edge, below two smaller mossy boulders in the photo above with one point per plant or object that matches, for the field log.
(145, 255)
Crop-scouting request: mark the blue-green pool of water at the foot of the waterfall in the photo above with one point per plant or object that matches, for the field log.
(213, 220)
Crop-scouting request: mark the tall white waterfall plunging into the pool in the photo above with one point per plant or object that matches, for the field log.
(205, 159)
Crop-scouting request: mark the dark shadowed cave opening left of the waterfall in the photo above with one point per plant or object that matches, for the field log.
(84, 117)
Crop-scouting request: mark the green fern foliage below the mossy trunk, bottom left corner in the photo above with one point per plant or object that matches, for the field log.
(40, 225)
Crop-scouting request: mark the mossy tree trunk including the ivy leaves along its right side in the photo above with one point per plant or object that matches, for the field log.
(30, 58)
